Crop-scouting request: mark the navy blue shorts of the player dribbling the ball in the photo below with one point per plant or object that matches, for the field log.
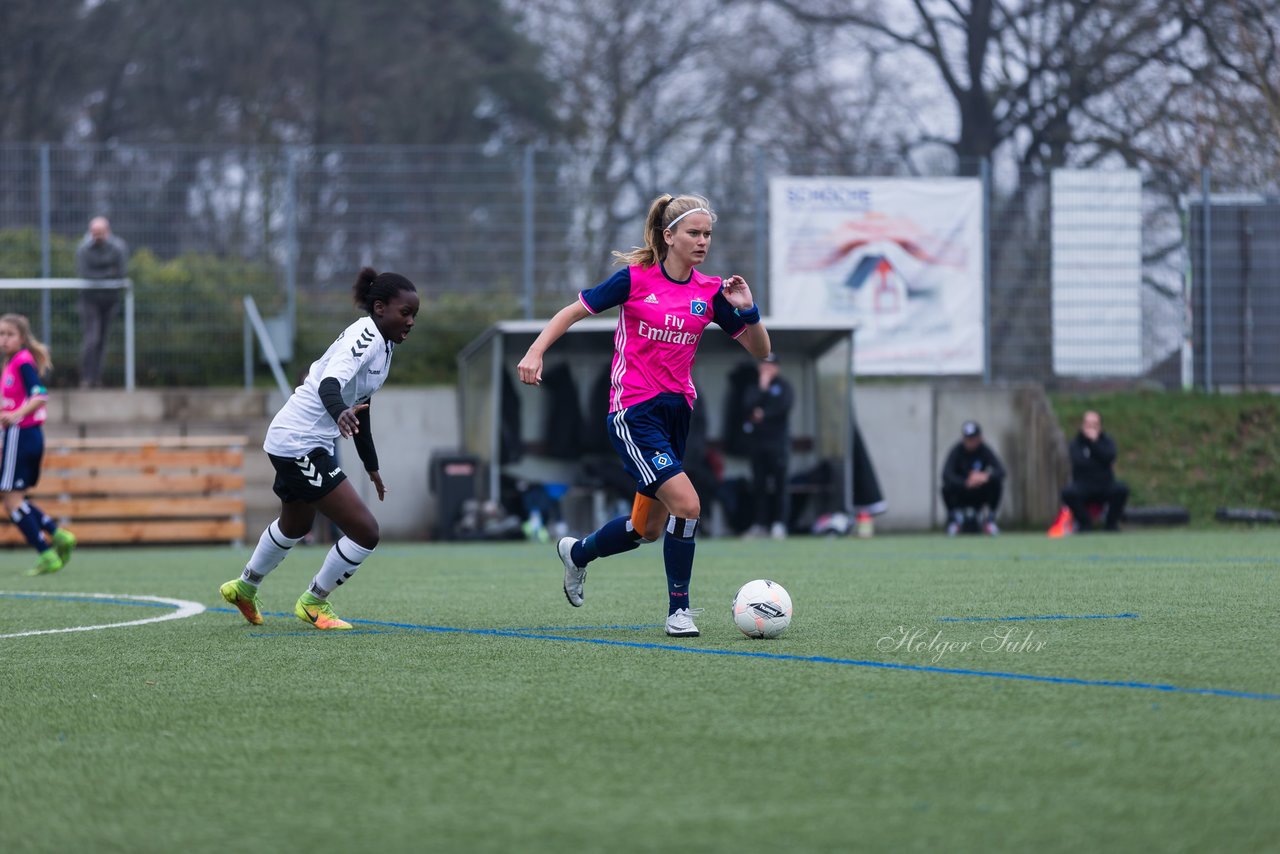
(651, 440)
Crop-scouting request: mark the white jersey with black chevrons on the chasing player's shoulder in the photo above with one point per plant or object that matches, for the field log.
(359, 360)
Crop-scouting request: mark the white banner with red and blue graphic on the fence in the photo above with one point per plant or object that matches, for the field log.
(902, 257)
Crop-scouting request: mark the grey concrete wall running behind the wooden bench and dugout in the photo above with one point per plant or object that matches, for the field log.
(908, 428)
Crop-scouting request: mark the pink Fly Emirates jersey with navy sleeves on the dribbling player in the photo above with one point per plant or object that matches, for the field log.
(660, 326)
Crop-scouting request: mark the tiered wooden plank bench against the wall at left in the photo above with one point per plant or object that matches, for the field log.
(162, 490)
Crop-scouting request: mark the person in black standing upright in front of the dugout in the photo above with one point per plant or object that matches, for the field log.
(769, 441)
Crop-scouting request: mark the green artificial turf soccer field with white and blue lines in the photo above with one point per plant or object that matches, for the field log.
(1100, 693)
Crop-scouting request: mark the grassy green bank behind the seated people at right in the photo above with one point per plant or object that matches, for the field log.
(1190, 449)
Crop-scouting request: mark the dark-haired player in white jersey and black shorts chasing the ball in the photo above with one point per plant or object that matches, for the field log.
(332, 401)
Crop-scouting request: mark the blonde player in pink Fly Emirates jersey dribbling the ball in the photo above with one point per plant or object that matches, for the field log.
(665, 307)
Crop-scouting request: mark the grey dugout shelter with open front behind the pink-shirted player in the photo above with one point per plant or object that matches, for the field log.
(505, 423)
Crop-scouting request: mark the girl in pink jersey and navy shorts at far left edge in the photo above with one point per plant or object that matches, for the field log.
(25, 398)
